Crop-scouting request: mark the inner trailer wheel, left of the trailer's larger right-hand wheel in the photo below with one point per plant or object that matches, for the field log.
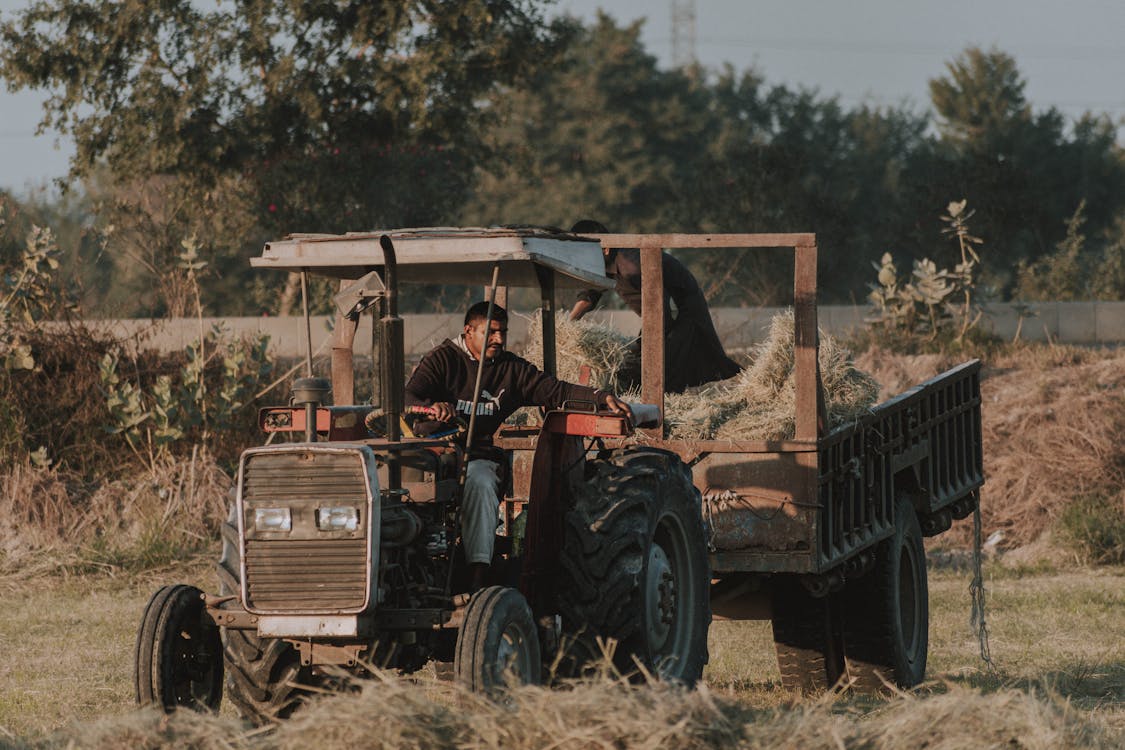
(807, 638)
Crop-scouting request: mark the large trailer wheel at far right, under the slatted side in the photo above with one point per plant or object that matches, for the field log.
(887, 626)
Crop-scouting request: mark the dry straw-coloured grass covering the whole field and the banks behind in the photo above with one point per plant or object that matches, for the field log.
(1054, 420)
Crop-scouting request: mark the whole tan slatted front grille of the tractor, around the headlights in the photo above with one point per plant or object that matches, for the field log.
(309, 572)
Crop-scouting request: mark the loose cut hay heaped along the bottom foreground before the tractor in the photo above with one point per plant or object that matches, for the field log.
(399, 713)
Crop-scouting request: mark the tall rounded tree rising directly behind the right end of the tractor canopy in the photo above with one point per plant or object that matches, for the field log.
(599, 133)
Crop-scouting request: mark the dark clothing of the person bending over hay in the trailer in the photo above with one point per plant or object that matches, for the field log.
(692, 351)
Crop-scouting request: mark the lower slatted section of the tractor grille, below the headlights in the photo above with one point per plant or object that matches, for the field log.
(307, 575)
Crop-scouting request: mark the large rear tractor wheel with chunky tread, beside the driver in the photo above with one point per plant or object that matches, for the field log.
(635, 567)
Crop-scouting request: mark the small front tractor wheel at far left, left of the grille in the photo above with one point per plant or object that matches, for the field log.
(178, 659)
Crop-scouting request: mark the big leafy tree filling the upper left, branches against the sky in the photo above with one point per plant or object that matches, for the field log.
(304, 115)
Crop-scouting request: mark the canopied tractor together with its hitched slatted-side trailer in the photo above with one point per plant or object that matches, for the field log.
(341, 554)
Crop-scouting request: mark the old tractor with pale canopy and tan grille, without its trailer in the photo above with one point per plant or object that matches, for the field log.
(341, 553)
